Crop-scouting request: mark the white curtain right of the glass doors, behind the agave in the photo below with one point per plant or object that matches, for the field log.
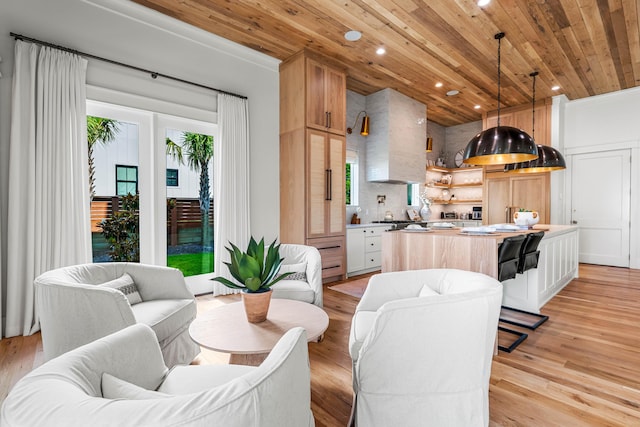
(231, 184)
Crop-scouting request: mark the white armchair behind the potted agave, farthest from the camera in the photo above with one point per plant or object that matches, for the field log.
(300, 259)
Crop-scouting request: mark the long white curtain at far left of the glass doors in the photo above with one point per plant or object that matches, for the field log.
(48, 212)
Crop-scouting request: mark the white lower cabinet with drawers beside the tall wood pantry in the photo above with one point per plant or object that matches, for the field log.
(364, 248)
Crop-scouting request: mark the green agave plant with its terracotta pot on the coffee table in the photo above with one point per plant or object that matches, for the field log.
(255, 273)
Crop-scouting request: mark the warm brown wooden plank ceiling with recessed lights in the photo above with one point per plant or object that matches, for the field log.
(587, 47)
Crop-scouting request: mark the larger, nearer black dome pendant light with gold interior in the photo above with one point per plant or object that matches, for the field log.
(501, 144)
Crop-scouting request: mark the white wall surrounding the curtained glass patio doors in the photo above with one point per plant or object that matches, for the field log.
(129, 33)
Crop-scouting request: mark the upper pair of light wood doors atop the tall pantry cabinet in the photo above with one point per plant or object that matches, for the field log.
(326, 98)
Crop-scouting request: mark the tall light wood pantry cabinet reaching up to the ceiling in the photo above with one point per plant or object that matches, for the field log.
(312, 159)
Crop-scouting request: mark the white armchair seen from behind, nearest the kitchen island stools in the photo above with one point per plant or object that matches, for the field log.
(422, 343)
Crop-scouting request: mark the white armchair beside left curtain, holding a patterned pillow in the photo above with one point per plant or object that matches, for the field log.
(74, 309)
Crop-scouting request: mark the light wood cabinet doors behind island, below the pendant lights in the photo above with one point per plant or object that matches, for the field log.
(506, 193)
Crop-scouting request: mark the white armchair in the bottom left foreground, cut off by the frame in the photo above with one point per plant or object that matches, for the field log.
(121, 380)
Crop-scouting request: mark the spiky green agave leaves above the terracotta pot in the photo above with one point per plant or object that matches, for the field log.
(253, 271)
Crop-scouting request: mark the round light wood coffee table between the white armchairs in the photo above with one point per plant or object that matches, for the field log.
(226, 329)
